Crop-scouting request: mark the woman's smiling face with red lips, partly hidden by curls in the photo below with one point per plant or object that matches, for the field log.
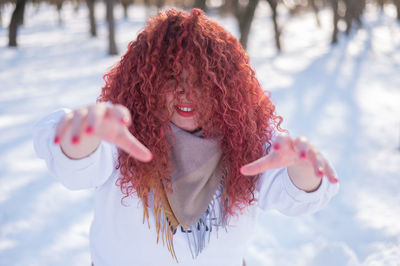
(182, 111)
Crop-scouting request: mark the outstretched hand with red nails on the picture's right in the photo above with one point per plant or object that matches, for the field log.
(287, 152)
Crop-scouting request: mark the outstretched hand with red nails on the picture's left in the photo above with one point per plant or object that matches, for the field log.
(79, 132)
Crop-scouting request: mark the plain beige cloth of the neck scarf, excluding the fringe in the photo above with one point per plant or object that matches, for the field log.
(196, 175)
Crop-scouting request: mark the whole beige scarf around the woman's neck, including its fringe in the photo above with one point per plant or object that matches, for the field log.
(195, 180)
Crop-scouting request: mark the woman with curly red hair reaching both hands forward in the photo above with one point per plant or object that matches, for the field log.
(183, 138)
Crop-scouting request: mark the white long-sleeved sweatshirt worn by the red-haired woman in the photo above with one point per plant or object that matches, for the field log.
(118, 236)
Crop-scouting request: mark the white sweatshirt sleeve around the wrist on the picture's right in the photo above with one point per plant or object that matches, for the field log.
(276, 191)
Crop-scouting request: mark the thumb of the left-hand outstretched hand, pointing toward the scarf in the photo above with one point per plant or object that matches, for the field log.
(127, 142)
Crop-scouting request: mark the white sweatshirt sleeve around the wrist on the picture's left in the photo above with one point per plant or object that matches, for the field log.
(88, 172)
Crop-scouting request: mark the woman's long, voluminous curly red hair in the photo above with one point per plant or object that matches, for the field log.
(223, 87)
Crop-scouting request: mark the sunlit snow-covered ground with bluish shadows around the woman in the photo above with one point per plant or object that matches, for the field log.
(345, 99)
